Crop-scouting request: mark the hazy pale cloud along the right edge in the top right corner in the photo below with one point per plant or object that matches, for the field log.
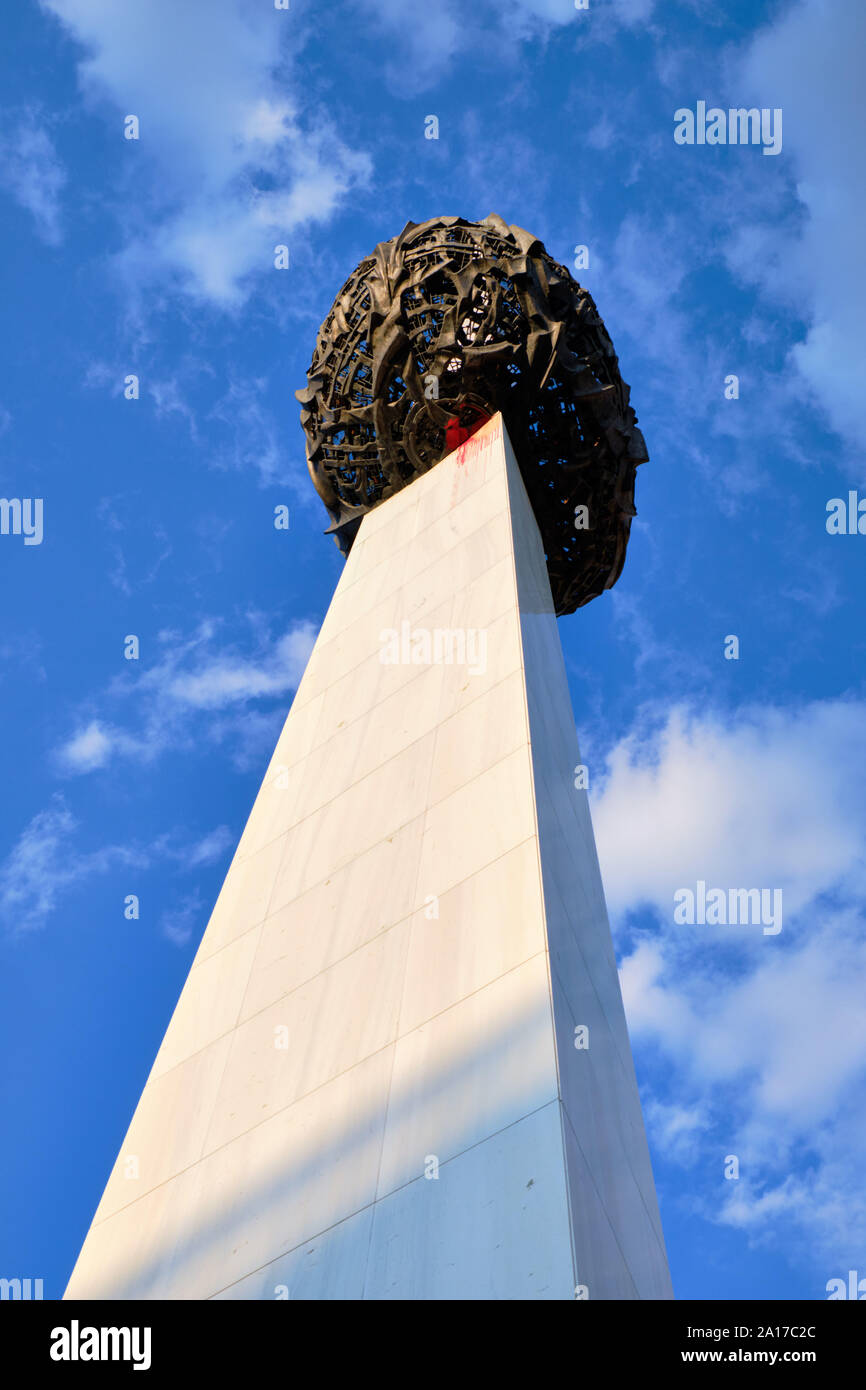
(811, 65)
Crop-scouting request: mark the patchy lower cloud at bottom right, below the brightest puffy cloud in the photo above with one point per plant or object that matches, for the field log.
(771, 1067)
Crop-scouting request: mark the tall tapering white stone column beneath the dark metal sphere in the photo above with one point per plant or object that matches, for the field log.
(370, 1086)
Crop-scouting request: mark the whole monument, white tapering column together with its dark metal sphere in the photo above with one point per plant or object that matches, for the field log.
(400, 1067)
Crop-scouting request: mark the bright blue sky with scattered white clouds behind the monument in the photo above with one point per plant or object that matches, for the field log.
(156, 258)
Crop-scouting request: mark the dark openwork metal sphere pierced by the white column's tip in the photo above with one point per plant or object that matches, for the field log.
(437, 332)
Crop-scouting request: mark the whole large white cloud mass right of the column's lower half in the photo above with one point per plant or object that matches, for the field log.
(762, 1039)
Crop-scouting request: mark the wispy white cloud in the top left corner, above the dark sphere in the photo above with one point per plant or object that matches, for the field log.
(233, 165)
